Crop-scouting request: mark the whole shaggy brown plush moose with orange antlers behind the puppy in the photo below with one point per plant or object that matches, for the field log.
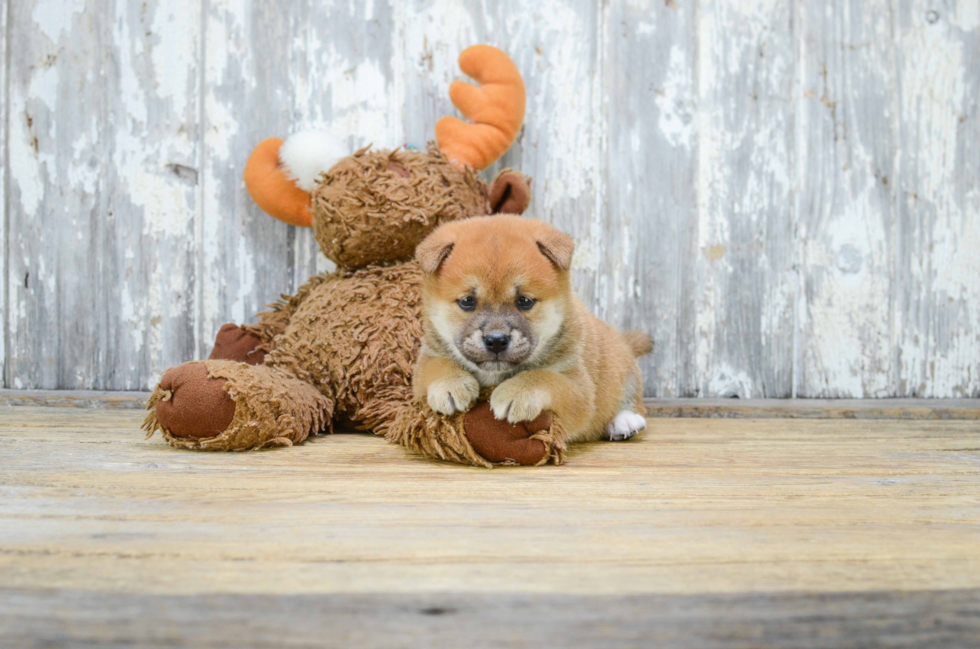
(342, 349)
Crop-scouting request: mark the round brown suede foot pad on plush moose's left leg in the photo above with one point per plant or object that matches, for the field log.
(198, 406)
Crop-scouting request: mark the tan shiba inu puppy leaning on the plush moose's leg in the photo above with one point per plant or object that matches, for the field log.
(499, 311)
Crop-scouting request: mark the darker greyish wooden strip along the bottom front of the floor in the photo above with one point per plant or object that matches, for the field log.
(920, 619)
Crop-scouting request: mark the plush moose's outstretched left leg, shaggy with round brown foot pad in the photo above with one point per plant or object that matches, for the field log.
(229, 406)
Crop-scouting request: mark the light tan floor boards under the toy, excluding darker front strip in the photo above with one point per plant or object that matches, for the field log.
(692, 507)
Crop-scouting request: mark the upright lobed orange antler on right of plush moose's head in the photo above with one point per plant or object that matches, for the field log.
(495, 108)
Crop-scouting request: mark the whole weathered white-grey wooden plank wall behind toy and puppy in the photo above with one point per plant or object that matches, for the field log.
(786, 195)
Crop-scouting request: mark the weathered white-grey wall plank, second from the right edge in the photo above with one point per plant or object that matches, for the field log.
(846, 210)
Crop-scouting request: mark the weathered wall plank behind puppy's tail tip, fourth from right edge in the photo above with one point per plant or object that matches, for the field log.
(649, 256)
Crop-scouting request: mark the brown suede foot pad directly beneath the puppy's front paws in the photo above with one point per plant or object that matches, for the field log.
(499, 441)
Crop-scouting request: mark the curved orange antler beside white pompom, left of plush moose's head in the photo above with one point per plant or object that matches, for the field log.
(271, 188)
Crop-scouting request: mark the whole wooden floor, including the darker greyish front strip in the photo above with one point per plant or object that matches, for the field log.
(702, 532)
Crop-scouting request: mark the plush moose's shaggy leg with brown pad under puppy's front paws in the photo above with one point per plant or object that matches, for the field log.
(477, 437)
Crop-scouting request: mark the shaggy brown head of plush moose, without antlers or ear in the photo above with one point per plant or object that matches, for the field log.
(366, 211)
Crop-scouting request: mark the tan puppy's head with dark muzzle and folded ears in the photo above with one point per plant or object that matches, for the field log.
(496, 290)
